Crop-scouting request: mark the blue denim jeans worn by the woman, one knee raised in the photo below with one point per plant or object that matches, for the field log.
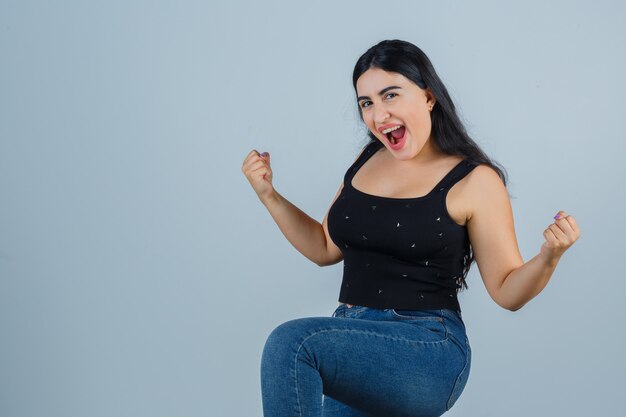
(366, 362)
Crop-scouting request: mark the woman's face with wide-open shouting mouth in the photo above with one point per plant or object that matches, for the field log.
(390, 100)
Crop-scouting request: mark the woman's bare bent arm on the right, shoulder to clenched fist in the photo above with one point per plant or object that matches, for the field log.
(510, 282)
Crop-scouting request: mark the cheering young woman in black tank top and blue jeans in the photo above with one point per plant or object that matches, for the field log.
(417, 207)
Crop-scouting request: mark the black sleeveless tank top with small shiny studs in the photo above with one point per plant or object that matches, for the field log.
(402, 253)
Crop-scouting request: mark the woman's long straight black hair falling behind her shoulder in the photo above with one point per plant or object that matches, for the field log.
(448, 131)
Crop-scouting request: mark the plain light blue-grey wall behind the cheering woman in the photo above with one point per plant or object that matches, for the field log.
(139, 274)
